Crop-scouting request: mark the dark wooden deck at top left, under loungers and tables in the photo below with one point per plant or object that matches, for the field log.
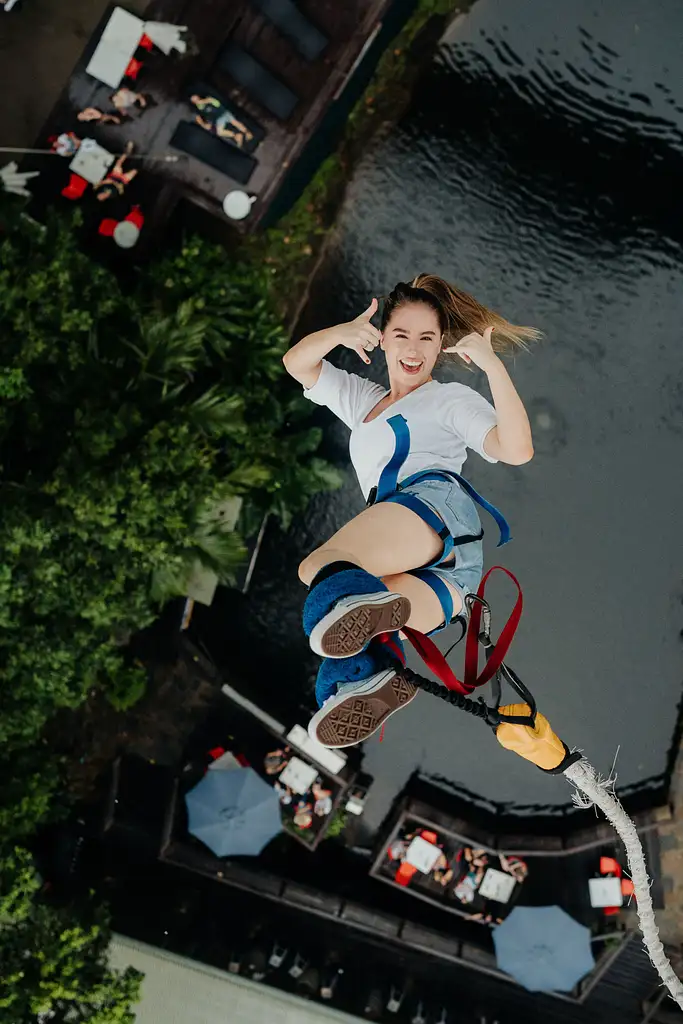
(349, 26)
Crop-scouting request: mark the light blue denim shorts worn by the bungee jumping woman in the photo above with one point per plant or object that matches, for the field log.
(460, 515)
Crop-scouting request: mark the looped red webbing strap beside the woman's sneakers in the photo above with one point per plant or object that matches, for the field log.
(435, 660)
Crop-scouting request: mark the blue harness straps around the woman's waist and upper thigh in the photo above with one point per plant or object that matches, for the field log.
(389, 489)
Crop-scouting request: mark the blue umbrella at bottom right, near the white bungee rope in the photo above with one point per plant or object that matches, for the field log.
(544, 949)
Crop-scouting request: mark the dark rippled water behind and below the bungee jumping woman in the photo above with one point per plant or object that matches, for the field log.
(541, 167)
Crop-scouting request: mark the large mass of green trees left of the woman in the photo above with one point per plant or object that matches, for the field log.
(126, 418)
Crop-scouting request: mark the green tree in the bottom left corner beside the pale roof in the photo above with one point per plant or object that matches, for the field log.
(55, 966)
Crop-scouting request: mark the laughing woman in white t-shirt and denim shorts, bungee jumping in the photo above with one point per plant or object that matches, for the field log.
(415, 553)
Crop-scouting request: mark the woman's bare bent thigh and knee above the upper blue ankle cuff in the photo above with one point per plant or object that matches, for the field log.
(386, 539)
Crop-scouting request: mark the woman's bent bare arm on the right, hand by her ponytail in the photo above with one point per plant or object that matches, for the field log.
(510, 441)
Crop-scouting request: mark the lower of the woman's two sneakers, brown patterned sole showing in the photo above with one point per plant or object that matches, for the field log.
(353, 717)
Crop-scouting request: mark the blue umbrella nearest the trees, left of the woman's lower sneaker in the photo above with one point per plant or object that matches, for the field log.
(235, 814)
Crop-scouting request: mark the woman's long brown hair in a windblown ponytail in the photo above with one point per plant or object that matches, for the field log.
(459, 314)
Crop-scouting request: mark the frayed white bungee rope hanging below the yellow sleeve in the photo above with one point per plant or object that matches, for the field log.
(585, 779)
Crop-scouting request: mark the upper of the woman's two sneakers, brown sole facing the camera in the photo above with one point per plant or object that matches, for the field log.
(355, 621)
